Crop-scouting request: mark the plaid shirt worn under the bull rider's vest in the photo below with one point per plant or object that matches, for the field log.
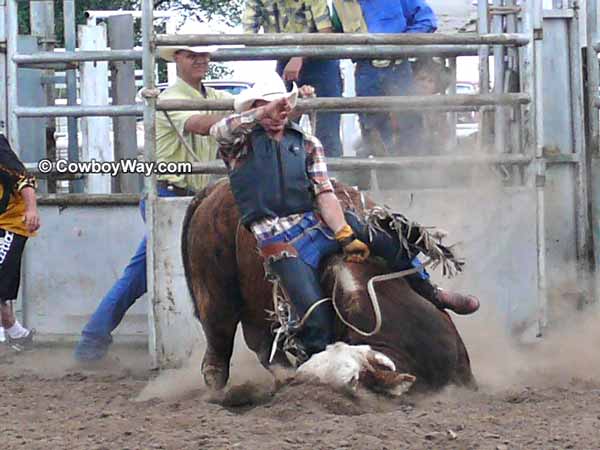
(232, 135)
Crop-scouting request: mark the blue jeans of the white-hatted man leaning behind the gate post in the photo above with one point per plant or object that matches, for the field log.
(96, 335)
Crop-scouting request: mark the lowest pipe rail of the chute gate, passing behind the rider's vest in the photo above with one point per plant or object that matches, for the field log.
(348, 163)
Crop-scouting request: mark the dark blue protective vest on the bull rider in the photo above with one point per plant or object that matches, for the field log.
(272, 180)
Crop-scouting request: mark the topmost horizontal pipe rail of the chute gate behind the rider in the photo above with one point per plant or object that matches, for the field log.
(344, 39)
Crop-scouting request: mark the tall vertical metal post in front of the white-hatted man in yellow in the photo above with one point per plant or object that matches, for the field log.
(148, 61)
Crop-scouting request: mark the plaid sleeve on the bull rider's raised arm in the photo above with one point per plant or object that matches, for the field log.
(230, 133)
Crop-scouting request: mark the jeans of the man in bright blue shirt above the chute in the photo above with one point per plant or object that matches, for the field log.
(395, 80)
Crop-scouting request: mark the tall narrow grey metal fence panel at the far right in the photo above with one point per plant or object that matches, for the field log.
(561, 180)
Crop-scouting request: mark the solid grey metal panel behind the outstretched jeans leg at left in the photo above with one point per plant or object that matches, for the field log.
(78, 255)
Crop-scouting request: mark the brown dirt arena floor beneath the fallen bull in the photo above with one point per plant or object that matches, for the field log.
(544, 395)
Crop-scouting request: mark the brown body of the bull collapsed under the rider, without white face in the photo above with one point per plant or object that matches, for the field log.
(226, 278)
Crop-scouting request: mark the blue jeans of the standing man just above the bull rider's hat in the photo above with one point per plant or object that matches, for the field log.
(324, 76)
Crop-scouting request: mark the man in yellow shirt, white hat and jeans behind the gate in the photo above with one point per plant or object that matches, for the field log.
(171, 128)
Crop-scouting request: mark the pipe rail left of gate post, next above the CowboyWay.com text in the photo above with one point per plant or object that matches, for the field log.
(79, 111)
